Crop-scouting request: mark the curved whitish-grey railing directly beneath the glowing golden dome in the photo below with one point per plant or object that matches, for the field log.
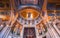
(29, 22)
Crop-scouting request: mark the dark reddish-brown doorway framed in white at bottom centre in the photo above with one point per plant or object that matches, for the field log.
(29, 32)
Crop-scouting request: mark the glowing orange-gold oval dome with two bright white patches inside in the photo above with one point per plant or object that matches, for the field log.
(29, 13)
